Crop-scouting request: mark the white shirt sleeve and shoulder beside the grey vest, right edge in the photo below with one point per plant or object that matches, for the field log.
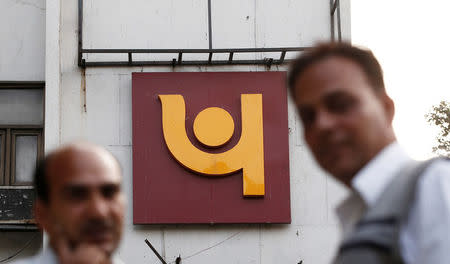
(425, 233)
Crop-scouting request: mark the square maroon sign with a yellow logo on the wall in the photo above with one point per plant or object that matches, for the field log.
(210, 148)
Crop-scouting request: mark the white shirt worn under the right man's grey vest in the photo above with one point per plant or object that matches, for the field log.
(425, 236)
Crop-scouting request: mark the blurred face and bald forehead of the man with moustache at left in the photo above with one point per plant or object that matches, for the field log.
(86, 204)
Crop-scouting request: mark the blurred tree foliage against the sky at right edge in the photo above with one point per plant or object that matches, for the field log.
(440, 117)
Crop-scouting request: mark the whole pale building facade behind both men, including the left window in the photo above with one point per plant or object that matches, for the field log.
(59, 87)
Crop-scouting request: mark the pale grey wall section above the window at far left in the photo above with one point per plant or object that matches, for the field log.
(22, 36)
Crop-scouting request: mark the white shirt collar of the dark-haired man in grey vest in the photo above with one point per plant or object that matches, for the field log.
(371, 180)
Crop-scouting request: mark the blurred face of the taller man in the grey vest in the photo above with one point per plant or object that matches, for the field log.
(345, 122)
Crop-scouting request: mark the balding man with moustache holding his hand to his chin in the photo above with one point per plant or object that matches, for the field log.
(80, 205)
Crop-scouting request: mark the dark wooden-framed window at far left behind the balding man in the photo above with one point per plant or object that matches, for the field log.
(21, 147)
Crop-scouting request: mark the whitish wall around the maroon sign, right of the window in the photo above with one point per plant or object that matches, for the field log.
(95, 104)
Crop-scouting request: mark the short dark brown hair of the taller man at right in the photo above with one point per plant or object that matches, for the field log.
(363, 58)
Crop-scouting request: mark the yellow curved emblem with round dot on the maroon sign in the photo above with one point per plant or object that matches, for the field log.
(214, 127)
